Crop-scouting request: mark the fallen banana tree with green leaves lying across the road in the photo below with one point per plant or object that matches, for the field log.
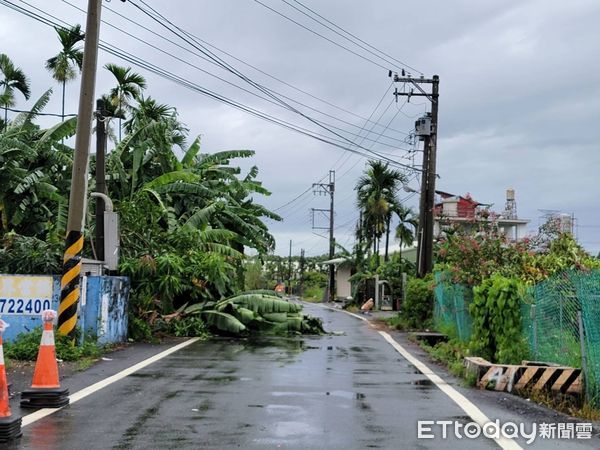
(256, 312)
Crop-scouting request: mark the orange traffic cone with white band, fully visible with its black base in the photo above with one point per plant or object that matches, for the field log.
(45, 389)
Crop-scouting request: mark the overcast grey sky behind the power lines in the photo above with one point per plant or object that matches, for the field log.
(519, 93)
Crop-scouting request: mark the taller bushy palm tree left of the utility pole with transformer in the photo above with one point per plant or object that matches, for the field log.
(376, 192)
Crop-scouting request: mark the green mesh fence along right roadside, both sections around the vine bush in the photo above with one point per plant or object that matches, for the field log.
(551, 314)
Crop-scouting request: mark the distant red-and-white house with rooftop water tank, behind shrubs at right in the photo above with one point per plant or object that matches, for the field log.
(467, 213)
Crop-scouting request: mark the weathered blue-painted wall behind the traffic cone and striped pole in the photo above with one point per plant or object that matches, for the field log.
(104, 306)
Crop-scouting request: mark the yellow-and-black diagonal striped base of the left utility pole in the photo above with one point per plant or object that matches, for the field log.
(69, 284)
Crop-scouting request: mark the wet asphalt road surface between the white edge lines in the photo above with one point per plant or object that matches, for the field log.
(351, 391)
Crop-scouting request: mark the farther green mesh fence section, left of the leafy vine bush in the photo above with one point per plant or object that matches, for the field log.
(451, 307)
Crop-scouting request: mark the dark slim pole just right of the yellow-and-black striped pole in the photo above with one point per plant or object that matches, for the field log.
(100, 175)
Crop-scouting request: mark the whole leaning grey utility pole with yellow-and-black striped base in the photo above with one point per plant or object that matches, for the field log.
(70, 290)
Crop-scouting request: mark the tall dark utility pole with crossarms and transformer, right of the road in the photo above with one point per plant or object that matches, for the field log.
(428, 175)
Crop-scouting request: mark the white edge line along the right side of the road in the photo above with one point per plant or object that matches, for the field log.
(467, 406)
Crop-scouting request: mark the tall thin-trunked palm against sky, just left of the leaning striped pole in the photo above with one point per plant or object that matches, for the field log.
(65, 64)
